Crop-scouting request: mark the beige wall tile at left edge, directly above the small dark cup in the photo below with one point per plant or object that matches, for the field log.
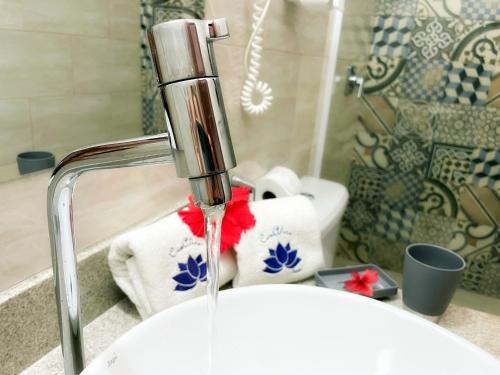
(15, 129)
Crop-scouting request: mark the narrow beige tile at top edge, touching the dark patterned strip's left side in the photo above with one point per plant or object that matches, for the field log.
(124, 20)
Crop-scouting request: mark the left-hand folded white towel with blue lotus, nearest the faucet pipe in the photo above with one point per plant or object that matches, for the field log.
(162, 264)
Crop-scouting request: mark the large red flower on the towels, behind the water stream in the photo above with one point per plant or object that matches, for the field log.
(237, 219)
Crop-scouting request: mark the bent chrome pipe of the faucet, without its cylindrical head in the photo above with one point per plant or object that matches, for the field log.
(133, 152)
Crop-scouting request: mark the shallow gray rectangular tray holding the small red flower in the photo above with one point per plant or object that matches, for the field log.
(334, 278)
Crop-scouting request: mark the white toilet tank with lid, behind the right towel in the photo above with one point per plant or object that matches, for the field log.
(330, 201)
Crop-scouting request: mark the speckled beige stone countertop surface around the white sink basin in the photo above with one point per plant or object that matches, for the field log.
(477, 327)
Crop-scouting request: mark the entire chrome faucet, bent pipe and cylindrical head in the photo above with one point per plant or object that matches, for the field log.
(200, 146)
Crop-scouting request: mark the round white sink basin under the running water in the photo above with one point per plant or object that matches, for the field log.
(291, 329)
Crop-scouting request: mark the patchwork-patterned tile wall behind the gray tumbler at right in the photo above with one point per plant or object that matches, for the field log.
(426, 162)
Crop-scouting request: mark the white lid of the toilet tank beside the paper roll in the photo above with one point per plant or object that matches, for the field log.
(328, 198)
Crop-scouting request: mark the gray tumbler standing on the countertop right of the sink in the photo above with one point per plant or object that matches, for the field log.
(430, 277)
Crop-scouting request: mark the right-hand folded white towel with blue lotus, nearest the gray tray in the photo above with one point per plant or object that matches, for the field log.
(284, 246)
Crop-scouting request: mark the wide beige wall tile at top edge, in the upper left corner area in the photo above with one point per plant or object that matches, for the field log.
(85, 17)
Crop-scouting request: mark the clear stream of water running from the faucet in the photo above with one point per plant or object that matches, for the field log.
(213, 223)
